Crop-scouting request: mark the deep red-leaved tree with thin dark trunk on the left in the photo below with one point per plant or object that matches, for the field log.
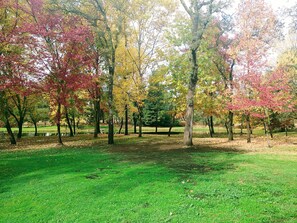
(62, 52)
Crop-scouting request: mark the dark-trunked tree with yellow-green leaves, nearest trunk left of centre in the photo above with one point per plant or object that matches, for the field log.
(105, 18)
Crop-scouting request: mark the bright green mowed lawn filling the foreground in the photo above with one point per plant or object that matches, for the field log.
(152, 179)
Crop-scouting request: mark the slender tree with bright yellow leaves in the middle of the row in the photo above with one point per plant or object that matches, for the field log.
(144, 27)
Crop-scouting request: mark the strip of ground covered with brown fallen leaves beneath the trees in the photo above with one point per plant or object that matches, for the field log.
(152, 143)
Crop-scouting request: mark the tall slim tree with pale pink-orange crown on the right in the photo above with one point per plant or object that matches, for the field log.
(256, 23)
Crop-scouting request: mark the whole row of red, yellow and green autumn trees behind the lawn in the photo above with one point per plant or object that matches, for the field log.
(148, 62)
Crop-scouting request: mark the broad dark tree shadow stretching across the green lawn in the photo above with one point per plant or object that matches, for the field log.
(119, 168)
